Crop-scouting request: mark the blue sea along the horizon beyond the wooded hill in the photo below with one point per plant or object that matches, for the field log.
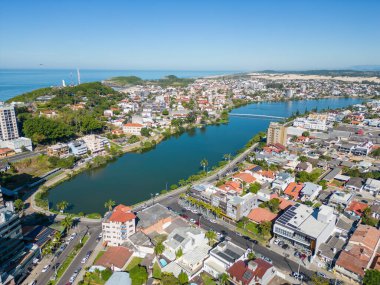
(17, 81)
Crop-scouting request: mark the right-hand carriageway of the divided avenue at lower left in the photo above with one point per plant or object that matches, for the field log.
(76, 263)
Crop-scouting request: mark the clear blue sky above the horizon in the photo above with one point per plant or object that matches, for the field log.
(190, 35)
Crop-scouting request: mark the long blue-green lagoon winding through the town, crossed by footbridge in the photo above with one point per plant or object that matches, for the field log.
(134, 176)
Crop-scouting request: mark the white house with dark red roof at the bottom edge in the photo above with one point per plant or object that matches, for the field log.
(252, 272)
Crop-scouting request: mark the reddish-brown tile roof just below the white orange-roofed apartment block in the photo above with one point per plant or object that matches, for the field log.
(115, 256)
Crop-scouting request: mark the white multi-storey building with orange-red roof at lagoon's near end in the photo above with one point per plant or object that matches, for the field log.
(118, 225)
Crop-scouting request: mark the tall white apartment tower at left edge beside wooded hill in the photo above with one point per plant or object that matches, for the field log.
(8, 123)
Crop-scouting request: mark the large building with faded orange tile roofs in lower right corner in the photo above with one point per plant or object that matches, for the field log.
(359, 253)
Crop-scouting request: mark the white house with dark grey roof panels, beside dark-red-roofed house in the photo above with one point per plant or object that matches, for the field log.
(222, 257)
